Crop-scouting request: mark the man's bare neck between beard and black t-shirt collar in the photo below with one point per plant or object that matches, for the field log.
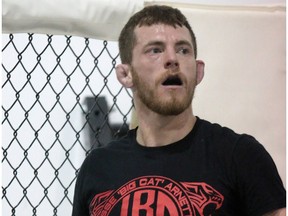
(157, 130)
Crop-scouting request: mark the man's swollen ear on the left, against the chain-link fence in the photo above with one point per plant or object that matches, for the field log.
(124, 76)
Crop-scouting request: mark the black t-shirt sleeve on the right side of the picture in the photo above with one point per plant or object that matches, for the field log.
(259, 185)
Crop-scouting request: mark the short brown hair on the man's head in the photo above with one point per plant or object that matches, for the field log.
(146, 17)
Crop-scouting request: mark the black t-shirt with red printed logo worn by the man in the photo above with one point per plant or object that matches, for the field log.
(211, 171)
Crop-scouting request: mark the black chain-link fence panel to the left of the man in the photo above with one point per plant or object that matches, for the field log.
(60, 99)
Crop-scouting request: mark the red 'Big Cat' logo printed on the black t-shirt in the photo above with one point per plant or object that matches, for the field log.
(157, 196)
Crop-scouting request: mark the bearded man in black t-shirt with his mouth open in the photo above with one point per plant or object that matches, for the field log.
(173, 163)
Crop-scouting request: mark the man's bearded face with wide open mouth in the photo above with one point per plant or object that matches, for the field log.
(164, 68)
